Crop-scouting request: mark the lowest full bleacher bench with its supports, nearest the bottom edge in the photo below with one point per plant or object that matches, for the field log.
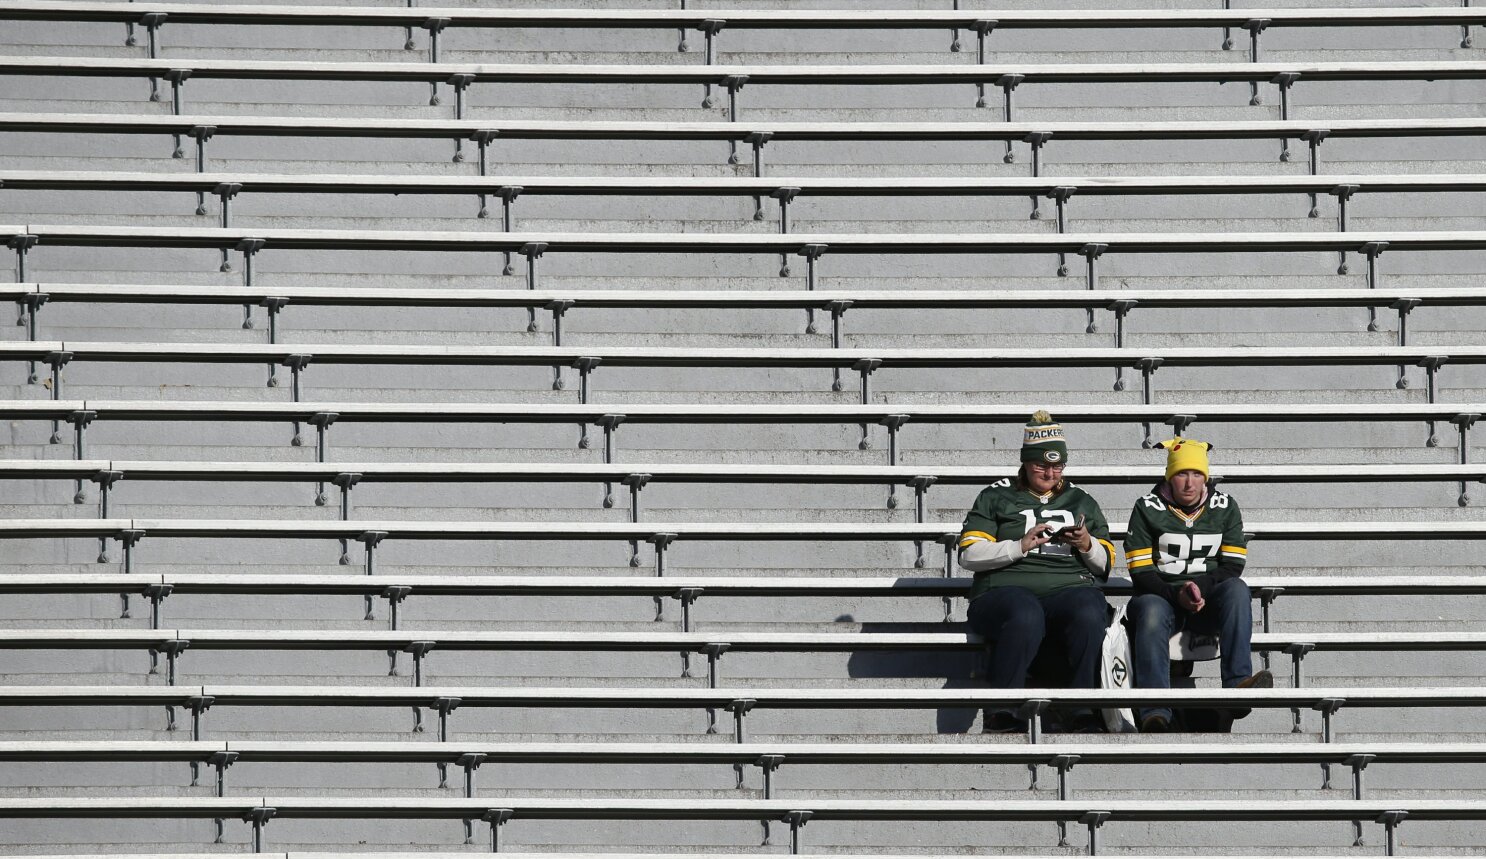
(261, 811)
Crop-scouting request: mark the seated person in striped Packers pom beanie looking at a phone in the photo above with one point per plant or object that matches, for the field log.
(1038, 548)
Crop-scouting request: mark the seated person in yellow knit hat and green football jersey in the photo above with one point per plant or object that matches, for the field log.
(1187, 552)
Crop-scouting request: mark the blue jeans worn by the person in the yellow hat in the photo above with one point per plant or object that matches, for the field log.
(1154, 620)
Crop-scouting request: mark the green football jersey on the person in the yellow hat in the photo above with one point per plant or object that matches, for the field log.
(1182, 548)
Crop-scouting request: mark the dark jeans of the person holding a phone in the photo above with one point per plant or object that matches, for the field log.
(1016, 622)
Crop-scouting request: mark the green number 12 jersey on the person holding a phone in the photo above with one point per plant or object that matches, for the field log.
(1004, 512)
